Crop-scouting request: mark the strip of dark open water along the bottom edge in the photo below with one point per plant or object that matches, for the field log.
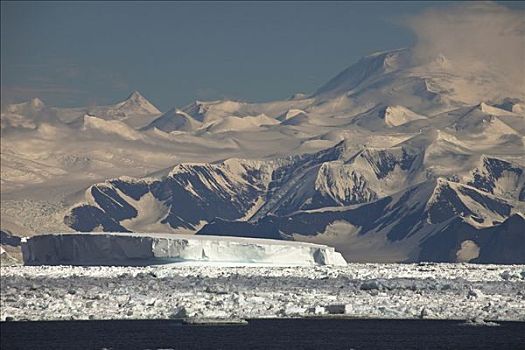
(262, 334)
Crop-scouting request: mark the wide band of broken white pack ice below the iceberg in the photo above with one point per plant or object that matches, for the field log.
(437, 291)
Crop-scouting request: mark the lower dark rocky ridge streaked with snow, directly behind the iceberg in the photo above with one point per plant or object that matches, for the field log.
(381, 199)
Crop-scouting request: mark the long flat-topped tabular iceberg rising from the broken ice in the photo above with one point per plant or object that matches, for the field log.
(152, 248)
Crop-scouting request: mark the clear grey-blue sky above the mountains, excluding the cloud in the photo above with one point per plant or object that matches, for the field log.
(86, 53)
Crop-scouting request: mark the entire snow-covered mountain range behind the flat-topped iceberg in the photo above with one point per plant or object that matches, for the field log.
(391, 160)
